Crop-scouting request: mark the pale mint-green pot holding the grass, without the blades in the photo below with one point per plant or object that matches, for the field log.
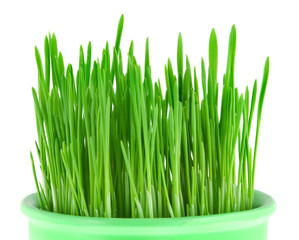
(245, 225)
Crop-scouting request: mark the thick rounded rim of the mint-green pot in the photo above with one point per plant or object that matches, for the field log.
(264, 207)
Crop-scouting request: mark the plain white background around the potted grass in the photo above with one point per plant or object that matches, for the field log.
(263, 29)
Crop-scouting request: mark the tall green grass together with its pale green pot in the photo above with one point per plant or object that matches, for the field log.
(121, 159)
